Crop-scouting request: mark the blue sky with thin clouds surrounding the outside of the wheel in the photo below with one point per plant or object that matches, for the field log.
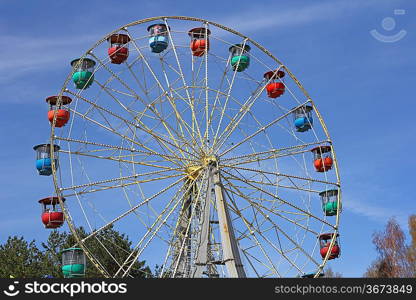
(361, 85)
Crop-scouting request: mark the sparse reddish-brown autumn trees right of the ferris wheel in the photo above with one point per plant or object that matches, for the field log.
(393, 254)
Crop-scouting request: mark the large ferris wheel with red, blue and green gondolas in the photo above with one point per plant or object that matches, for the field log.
(201, 146)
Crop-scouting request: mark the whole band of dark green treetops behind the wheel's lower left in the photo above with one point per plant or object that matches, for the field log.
(19, 258)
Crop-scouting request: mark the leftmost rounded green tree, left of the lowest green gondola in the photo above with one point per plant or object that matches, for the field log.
(19, 258)
